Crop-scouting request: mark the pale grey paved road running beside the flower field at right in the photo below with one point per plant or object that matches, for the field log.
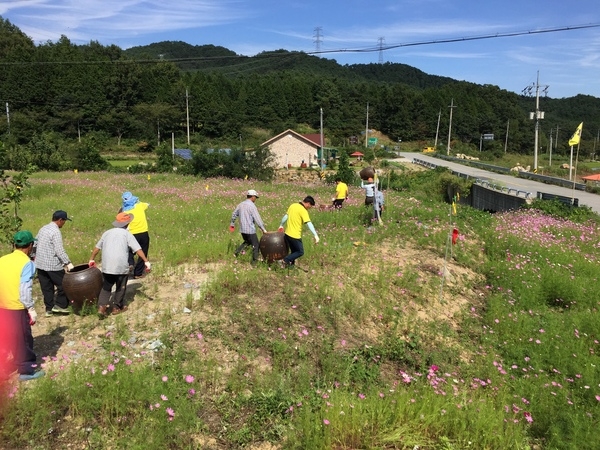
(521, 184)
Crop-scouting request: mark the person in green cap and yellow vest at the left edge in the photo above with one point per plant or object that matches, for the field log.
(17, 311)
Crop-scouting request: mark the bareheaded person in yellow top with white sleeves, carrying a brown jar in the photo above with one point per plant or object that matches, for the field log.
(294, 219)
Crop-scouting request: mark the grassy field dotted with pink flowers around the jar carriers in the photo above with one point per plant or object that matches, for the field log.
(387, 336)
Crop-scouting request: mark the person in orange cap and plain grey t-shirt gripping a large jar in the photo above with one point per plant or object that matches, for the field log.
(116, 244)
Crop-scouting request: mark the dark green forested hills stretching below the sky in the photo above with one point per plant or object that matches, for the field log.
(80, 91)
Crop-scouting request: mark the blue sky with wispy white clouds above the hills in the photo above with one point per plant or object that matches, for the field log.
(568, 61)
